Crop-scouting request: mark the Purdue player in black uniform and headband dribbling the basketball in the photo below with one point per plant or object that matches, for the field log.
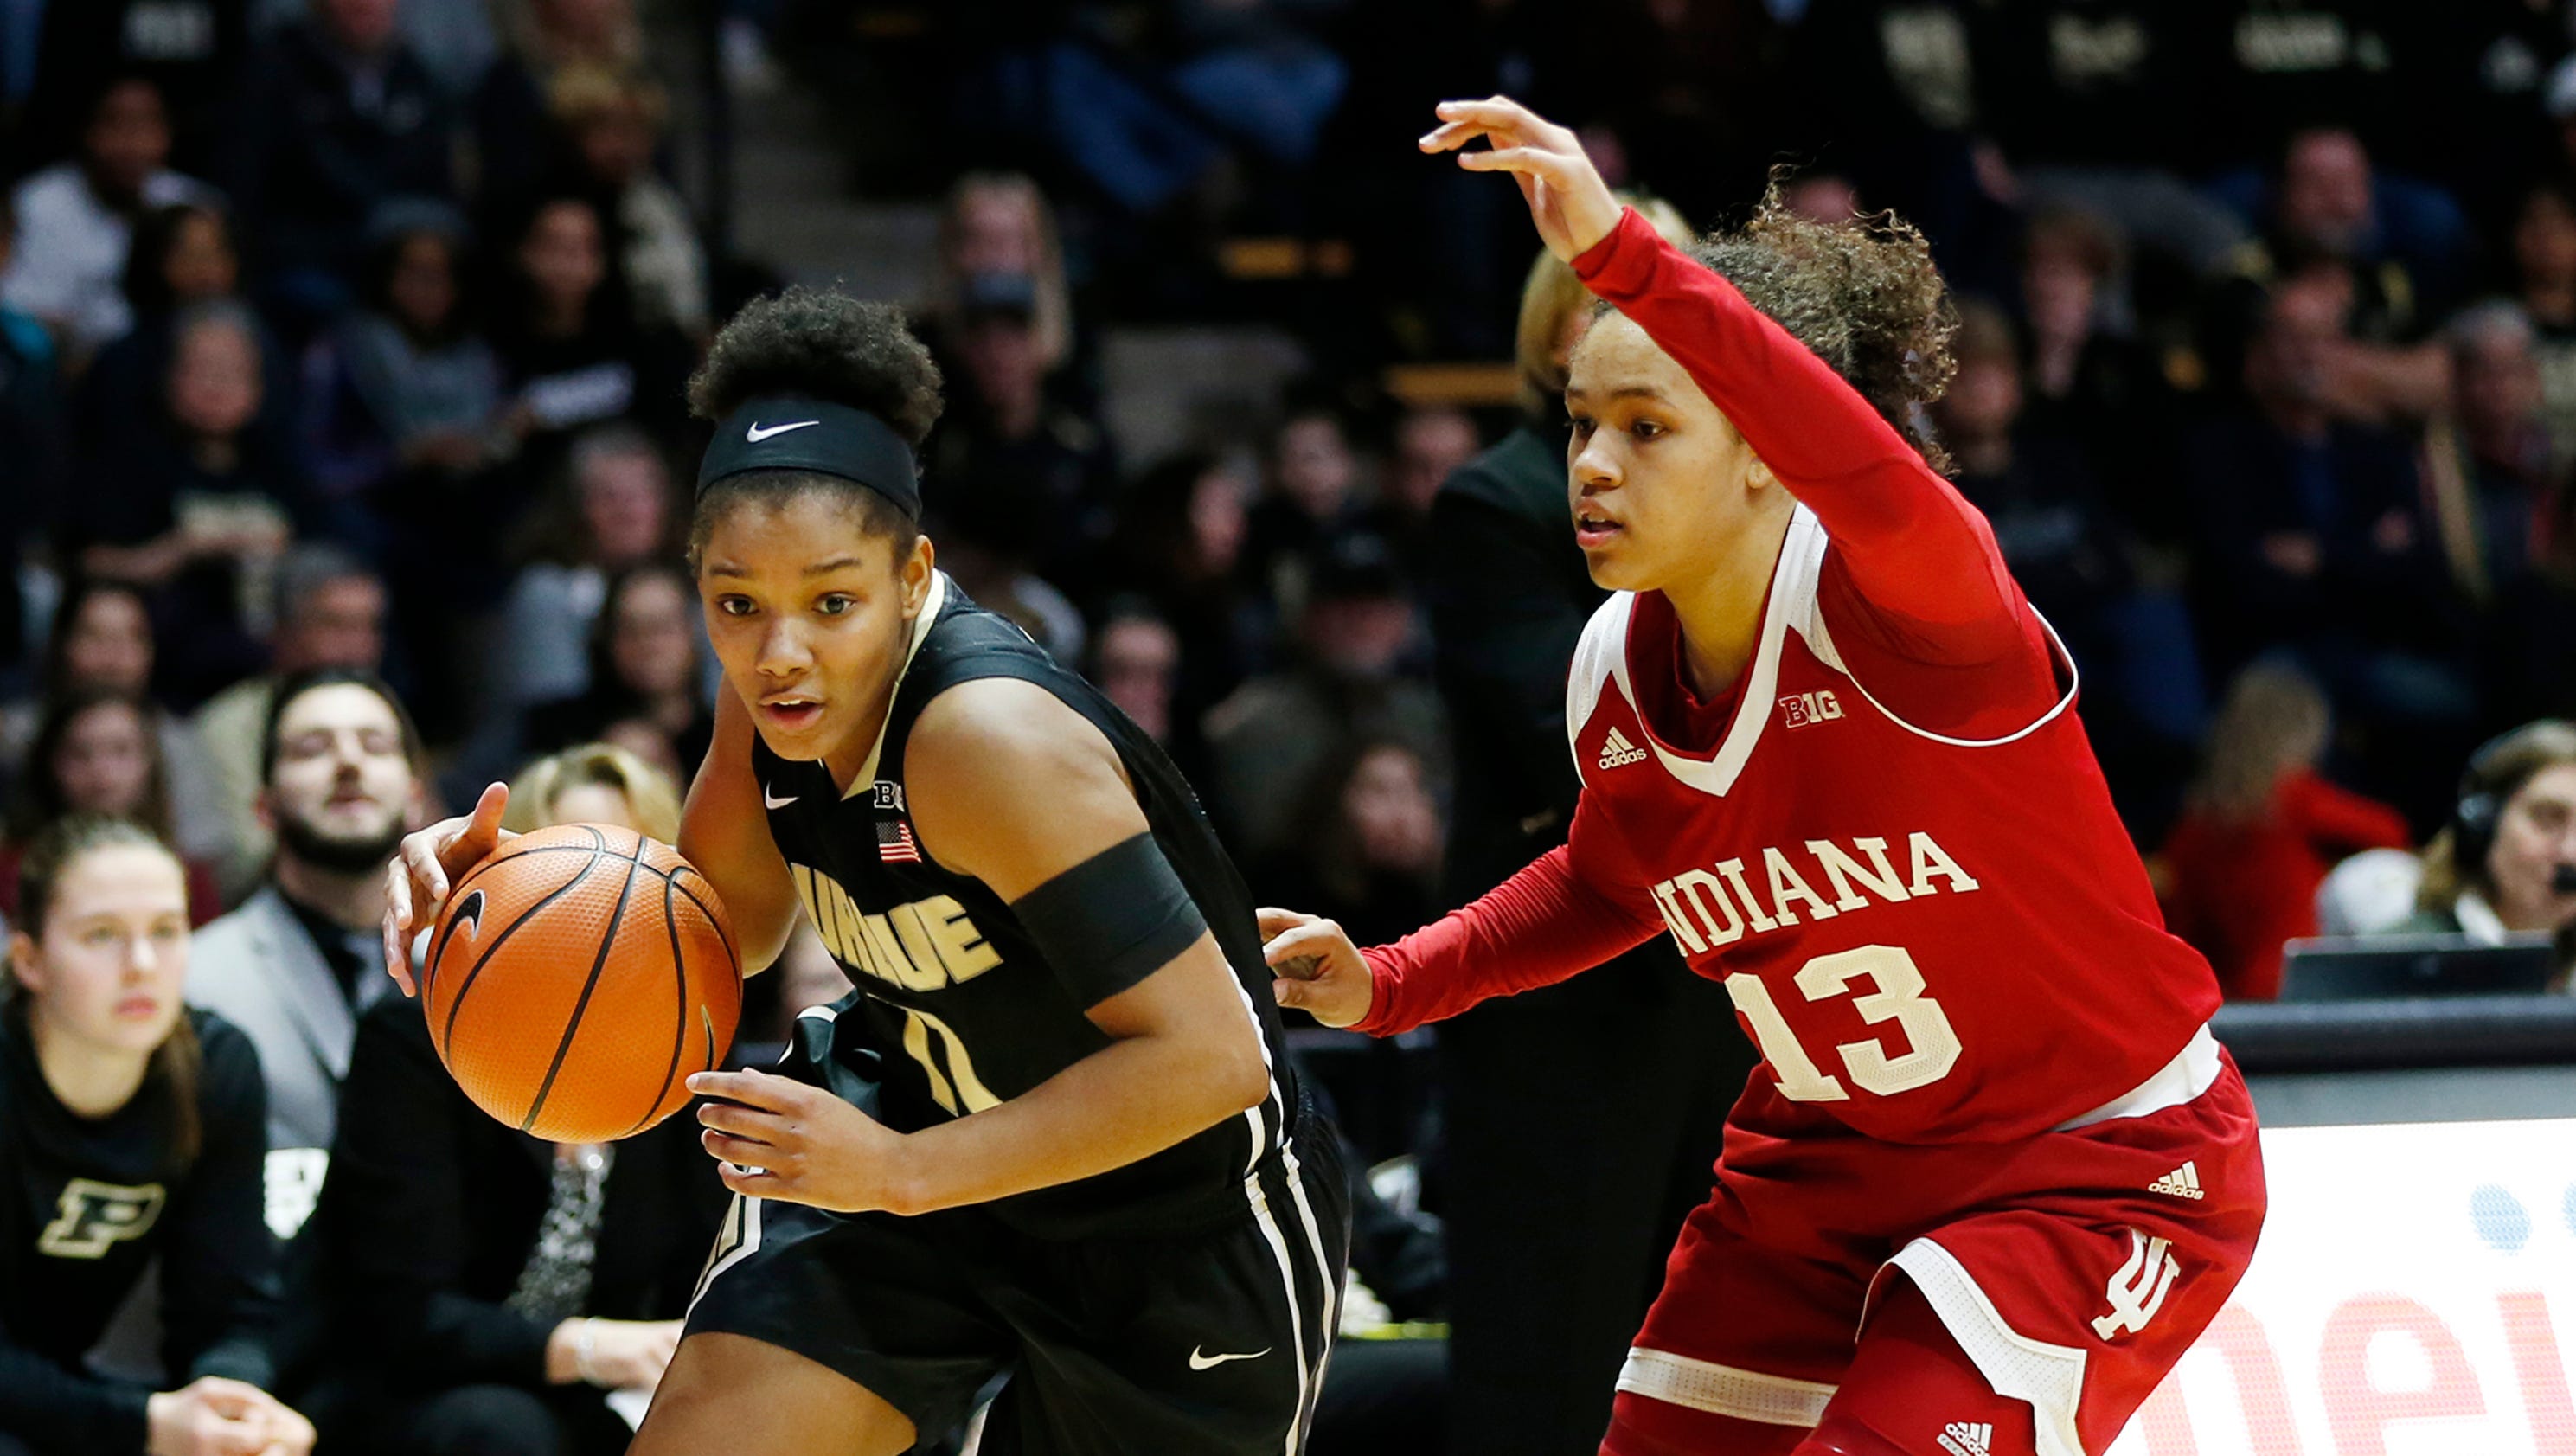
(1055, 1130)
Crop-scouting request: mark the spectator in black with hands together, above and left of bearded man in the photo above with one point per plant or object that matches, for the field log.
(197, 504)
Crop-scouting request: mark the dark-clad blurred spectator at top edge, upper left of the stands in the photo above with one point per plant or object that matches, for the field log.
(339, 120)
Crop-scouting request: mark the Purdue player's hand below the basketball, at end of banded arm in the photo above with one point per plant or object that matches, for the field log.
(777, 1138)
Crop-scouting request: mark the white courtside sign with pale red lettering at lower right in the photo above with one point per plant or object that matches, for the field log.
(2415, 1295)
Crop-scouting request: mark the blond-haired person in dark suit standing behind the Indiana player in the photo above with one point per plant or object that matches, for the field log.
(1583, 1120)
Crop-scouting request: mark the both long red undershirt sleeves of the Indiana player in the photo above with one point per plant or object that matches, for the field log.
(1913, 586)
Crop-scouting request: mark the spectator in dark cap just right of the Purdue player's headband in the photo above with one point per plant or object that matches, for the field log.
(1019, 473)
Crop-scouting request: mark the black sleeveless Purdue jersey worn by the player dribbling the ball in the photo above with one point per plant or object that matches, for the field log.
(954, 999)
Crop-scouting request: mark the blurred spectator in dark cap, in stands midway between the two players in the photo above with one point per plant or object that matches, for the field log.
(1274, 733)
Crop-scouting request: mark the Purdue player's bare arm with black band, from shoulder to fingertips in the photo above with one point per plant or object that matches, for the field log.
(1021, 792)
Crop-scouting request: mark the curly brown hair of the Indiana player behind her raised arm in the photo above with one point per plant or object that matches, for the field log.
(1864, 295)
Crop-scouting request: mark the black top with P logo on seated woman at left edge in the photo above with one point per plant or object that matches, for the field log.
(86, 1205)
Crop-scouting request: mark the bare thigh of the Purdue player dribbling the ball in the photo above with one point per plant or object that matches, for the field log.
(741, 1395)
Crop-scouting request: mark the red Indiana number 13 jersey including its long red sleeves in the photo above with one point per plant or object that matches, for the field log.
(1889, 841)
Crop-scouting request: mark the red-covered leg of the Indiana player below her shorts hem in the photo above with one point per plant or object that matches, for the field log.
(1915, 1393)
